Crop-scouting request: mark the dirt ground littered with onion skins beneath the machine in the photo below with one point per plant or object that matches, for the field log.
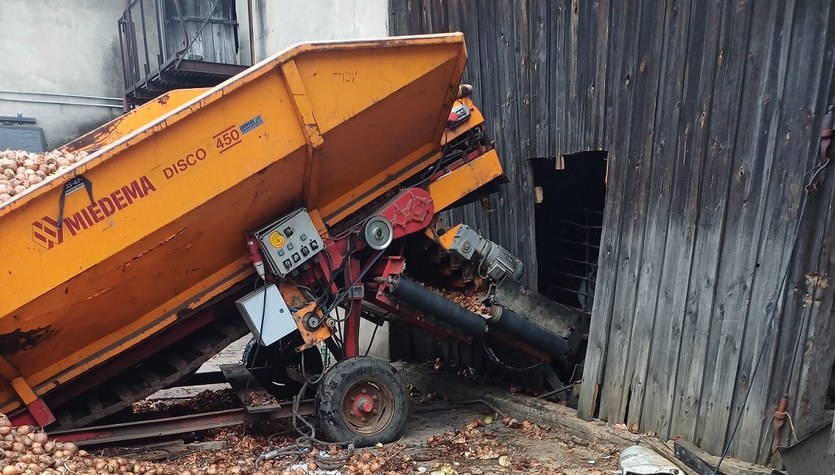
(439, 439)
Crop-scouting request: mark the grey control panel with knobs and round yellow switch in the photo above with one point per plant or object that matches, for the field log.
(289, 242)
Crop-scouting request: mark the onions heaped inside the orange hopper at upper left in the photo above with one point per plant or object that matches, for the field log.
(21, 170)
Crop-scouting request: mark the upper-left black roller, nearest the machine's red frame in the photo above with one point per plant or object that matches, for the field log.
(436, 306)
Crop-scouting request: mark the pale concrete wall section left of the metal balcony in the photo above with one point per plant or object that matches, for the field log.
(68, 48)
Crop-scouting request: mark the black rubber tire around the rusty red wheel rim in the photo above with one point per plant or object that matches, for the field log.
(339, 379)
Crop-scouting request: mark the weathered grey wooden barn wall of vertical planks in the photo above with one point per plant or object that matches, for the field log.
(710, 112)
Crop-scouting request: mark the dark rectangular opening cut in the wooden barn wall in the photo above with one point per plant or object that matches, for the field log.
(570, 196)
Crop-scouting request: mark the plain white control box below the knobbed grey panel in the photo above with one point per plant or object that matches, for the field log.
(271, 324)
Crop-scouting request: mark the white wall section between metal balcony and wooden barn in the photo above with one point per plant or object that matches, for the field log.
(281, 23)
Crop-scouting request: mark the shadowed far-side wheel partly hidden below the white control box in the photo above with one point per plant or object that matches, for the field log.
(270, 364)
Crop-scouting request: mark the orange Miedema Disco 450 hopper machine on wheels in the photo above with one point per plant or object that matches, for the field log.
(126, 272)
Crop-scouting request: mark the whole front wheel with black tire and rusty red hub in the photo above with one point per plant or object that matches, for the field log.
(362, 400)
